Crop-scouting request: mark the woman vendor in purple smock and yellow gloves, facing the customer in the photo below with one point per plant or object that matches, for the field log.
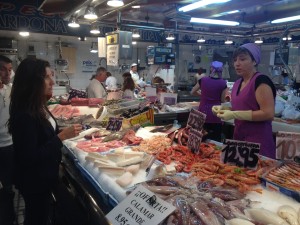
(252, 100)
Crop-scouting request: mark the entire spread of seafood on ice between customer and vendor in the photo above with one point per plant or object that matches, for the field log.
(208, 192)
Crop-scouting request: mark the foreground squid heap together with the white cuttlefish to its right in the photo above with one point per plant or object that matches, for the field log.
(204, 203)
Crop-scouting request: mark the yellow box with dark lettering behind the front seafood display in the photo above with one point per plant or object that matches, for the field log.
(144, 119)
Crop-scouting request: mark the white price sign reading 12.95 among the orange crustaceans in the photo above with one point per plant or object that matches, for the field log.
(240, 153)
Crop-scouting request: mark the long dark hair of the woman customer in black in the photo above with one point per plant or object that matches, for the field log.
(27, 94)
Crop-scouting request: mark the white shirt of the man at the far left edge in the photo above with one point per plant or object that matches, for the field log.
(5, 137)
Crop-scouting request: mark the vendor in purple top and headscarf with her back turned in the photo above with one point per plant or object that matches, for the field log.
(213, 89)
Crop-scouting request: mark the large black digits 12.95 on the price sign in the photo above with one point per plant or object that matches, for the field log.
(241, 156)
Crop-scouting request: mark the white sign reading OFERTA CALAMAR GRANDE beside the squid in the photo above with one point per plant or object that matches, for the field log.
(141, 207)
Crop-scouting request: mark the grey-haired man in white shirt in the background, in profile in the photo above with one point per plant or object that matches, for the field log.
(96, 88)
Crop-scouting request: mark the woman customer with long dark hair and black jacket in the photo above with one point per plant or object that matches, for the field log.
(36, 138)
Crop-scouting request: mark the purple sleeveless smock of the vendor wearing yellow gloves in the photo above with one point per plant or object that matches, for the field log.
(251, 131)
